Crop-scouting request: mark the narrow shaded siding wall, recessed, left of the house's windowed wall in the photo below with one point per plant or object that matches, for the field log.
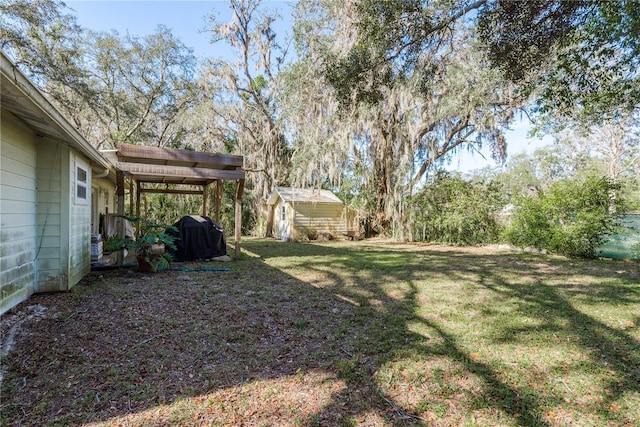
(53, 163)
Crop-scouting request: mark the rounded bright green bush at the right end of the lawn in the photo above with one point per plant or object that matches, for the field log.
(571, 218)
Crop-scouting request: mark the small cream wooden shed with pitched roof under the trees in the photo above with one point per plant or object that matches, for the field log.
(298, 213)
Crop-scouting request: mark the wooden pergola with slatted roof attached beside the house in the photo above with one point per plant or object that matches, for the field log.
(184, 169)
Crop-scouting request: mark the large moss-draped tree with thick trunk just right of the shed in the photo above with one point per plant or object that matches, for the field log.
(396, 130)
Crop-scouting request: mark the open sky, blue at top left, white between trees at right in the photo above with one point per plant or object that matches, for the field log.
(187, 21)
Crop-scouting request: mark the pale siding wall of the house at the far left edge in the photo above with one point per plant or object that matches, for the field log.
(17, 213)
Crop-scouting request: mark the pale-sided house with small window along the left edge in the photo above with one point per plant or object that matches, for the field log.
(53, 188)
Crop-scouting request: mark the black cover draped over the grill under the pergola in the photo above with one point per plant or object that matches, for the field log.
(197, 238)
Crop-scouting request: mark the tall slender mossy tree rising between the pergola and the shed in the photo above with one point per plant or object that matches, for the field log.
(246, 92)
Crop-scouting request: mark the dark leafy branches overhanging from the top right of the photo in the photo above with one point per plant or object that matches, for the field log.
(577, 56)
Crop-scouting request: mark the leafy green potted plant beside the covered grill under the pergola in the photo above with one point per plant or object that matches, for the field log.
(149, 235)
